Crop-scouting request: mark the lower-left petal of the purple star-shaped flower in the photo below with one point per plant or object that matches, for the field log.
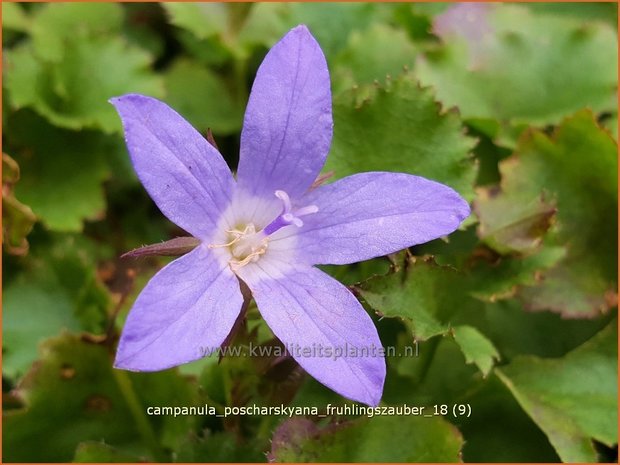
(185, 311)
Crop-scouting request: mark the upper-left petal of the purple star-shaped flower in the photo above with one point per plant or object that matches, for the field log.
(185, 175)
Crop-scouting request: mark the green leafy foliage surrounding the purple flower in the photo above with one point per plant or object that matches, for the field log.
(512, 105)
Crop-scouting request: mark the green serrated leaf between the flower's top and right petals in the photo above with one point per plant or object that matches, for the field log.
(398, 126)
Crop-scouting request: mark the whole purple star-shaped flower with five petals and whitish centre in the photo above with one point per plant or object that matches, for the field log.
(269, 227)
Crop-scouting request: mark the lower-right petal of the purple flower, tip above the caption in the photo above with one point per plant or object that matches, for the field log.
(315, 317)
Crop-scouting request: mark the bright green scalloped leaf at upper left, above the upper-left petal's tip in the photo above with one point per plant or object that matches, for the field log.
(74, 92)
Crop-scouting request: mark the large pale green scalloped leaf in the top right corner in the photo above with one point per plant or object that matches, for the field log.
(571, 64)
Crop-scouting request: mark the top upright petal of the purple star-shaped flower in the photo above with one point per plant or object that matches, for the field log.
(287, 129)
